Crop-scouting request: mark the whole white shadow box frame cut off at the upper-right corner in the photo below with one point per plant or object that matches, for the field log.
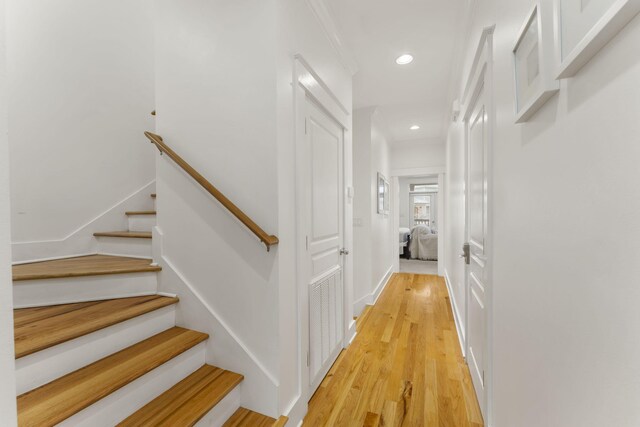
(583, 27)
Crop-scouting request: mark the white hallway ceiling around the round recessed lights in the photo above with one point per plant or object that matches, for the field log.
(377, 32)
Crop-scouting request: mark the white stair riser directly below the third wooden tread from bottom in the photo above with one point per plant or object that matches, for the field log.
(115, 407)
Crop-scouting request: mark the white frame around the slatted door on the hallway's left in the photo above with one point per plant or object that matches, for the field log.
(308, 84)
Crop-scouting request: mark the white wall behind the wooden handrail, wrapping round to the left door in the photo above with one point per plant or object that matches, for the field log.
(225, 104)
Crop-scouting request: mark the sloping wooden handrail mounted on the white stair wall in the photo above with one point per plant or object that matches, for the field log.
(267, 239)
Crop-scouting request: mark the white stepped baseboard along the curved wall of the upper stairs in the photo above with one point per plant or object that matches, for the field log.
(81, 241)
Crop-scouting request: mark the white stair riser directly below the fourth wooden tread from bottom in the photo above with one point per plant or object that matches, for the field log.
(47, 365)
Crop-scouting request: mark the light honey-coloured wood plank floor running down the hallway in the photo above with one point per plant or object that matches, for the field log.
(404, 368)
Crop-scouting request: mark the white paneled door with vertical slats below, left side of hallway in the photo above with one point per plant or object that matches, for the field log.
(325, 140)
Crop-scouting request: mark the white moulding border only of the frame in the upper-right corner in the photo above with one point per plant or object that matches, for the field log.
(610, 24)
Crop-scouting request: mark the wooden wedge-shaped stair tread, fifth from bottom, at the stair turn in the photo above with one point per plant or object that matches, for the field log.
(91, 265)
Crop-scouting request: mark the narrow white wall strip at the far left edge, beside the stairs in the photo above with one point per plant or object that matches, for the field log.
(7, 358)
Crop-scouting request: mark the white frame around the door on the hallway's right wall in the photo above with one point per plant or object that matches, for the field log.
(481, 75)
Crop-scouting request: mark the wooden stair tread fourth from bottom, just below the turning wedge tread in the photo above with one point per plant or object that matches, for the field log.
(38, 328)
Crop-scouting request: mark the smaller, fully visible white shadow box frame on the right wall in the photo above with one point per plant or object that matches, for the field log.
(534, 62)
